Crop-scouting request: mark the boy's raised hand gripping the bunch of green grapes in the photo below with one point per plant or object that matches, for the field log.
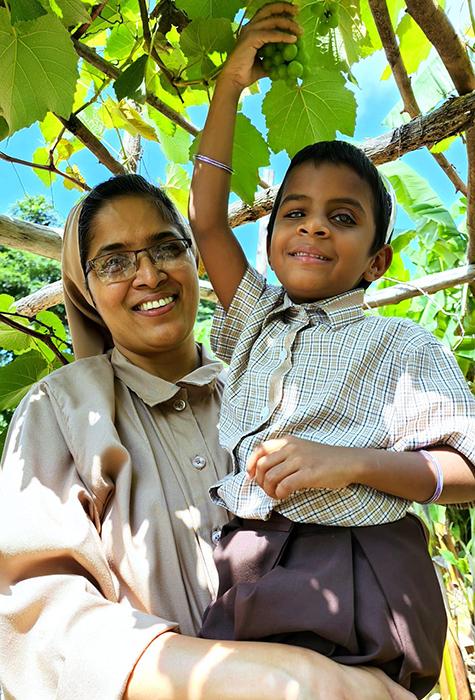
(271, 24)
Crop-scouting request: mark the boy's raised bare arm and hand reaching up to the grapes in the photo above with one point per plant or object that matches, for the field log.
(208, 205)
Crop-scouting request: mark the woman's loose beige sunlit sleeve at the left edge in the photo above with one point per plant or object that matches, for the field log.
(63, 632)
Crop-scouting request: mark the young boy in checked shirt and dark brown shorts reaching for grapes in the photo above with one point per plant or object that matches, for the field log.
(326, 412)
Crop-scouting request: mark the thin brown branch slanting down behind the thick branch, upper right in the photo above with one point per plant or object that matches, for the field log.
(380, 12)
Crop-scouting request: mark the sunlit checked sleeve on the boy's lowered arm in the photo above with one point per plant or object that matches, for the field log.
(433, 405)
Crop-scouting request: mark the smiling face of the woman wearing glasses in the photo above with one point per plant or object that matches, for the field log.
(143, 334)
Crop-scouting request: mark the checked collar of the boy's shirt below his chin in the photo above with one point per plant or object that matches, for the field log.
(336, 311)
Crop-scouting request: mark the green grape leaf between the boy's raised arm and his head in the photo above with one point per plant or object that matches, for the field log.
(249, 153)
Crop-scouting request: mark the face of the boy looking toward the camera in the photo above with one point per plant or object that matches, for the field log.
(323, 233)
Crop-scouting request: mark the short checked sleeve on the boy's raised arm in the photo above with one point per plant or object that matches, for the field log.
(246, 304)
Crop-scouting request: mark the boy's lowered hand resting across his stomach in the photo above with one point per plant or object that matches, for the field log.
(288, 464)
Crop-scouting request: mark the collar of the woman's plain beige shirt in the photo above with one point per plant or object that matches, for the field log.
(154, 390)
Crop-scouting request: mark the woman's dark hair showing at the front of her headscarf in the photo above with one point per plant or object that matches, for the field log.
(120, 186)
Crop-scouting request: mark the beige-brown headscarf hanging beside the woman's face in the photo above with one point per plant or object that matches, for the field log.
(88, 332)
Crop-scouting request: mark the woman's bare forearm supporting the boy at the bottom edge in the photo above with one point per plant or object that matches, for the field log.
(174, 667)
